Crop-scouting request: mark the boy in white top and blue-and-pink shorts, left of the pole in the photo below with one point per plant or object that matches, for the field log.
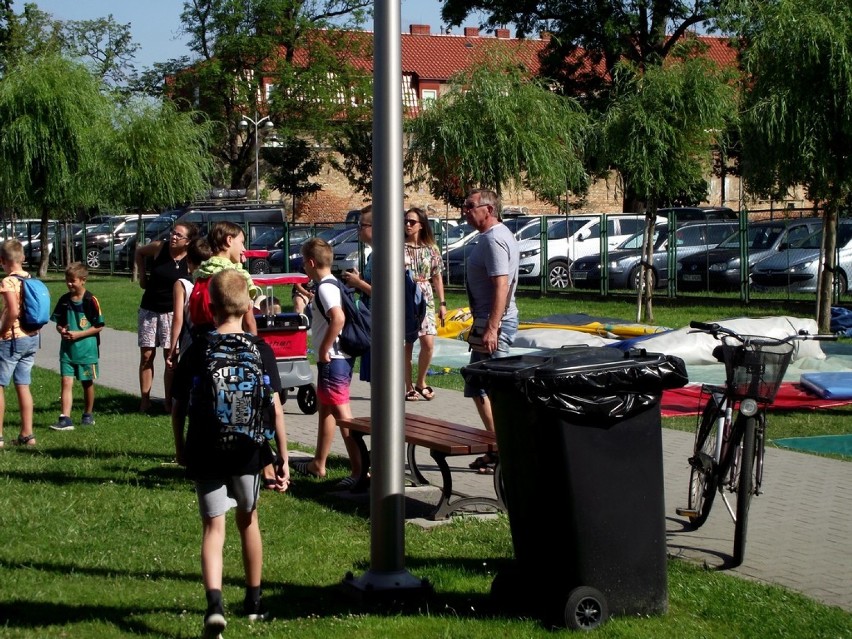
(334, 365)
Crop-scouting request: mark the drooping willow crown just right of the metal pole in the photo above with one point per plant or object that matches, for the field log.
(499, 128)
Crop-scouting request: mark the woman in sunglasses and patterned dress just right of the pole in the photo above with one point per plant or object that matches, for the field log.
(423, 259)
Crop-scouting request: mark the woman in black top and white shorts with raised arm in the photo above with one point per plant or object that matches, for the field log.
(157, 306)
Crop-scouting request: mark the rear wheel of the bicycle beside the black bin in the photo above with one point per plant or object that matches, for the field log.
(703, 477)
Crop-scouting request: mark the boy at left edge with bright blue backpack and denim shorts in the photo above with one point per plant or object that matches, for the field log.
(19, 339)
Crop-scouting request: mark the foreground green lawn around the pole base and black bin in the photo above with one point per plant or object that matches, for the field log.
(101, 540)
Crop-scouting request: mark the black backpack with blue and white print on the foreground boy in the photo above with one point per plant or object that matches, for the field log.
(233, 390)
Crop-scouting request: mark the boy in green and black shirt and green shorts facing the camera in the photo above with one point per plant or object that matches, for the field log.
(79, 322)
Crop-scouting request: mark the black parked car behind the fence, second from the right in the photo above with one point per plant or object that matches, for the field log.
(718, 269)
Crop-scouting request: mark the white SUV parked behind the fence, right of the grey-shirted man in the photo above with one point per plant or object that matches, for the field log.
(572, 237)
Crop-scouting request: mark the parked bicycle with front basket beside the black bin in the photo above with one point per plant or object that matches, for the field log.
(728, 456)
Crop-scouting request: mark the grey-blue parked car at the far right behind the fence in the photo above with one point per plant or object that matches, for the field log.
(796, 268)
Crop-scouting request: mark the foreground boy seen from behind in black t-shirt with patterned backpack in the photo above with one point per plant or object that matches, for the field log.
(226, 383)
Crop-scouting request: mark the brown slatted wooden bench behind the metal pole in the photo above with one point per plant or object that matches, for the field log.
(442, 439)
